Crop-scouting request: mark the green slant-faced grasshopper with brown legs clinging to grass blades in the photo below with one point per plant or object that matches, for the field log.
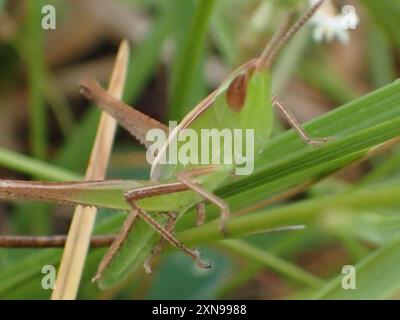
(243, 101)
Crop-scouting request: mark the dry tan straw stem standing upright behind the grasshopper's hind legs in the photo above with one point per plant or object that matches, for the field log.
(78, 240)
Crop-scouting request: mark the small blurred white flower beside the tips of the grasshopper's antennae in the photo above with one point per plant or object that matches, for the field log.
(328, 25)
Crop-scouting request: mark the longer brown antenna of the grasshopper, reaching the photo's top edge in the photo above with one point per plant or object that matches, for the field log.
(269, 54)
